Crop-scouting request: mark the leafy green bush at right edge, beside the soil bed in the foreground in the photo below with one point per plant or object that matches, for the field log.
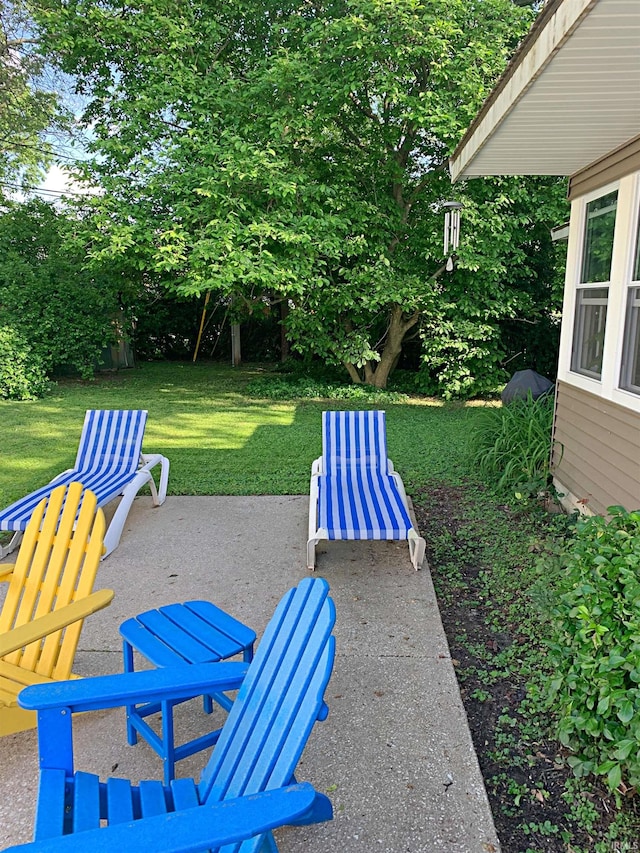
(595, 653)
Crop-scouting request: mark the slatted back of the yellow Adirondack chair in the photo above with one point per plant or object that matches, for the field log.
(56, 565)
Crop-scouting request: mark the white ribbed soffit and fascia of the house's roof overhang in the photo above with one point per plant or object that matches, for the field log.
(570, 95)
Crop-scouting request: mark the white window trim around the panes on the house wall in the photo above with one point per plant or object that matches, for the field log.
(621, 271)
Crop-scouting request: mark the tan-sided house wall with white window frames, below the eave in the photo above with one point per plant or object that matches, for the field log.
(597, 423)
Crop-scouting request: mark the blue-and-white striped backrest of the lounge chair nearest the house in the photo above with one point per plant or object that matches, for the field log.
(354, 441)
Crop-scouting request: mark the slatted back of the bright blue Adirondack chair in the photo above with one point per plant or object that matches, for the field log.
(279, 701)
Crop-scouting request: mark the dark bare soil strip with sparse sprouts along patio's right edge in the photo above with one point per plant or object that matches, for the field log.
(525, 781)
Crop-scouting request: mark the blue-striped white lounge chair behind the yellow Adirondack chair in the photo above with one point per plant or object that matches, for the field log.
(110, 462)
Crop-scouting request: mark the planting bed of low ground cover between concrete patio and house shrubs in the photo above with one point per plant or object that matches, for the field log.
(489, 561)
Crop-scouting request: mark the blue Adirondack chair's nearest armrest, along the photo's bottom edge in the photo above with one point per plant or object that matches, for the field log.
(200, 828)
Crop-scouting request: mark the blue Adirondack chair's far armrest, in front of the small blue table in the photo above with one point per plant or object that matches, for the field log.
(111, 691)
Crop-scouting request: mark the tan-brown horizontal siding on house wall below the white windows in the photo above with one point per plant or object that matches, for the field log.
(597, 450)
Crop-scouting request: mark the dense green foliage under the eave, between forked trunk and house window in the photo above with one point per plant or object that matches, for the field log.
(500, 310)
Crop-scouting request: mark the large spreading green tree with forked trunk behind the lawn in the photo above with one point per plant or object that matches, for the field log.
(291, 151)
